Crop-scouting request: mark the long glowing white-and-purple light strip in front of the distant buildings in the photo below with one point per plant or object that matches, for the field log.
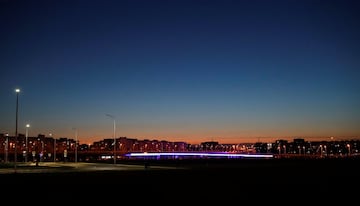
(202, 154)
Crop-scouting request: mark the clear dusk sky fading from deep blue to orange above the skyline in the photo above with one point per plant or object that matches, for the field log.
(179, 70)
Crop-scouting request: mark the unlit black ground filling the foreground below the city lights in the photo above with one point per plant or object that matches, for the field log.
(205, 181)
